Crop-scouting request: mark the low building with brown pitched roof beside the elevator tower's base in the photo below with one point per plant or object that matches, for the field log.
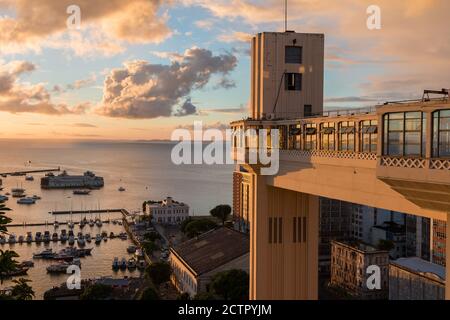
(196, 261)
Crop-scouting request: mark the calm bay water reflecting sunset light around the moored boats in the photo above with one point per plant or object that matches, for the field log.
(144, 169)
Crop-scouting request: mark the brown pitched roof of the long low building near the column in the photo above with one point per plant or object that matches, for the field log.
(212, 249)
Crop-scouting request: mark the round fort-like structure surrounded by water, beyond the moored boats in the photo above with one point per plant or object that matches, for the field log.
(64, 180)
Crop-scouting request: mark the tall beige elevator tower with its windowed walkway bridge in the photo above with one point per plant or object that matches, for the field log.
(394, 156)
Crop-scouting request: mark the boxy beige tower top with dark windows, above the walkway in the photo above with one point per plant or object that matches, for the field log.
(287, 75)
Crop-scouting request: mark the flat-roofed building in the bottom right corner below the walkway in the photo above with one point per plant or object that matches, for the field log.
(416, 279)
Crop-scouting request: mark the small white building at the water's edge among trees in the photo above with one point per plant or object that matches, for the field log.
(167, 211)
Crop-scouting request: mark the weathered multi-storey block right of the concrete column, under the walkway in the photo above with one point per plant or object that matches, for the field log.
(350, 262)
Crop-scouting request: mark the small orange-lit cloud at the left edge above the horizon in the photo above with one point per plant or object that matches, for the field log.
(18, 97)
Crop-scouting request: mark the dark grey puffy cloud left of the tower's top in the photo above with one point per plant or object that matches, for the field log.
(141, 90)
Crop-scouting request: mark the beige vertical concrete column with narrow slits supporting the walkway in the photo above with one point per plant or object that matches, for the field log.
(284, 235)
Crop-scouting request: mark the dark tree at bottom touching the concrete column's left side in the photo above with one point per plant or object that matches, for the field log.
(231, 285)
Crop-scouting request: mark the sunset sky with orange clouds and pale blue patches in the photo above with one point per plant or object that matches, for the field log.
(138, 69)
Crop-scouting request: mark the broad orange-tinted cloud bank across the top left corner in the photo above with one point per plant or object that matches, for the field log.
(45, 22)
